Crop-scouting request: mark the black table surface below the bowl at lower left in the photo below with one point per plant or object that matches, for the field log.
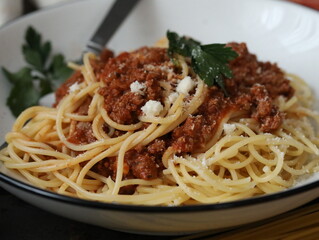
(44, 225)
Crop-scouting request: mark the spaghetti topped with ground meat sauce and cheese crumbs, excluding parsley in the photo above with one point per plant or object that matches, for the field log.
(137, 129)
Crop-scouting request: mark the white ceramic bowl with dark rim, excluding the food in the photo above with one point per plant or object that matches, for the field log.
(278, 31)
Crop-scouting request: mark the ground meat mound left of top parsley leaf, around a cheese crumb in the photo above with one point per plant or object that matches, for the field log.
(122, 105)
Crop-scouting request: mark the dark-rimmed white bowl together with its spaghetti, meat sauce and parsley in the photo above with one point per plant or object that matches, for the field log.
(187, 122)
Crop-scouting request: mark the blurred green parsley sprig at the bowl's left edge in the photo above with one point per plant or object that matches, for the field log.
(42, 75)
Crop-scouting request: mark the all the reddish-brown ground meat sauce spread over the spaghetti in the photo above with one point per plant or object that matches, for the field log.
(252, 91)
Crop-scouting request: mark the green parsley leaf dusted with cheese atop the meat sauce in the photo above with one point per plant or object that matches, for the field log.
(210, 61)
